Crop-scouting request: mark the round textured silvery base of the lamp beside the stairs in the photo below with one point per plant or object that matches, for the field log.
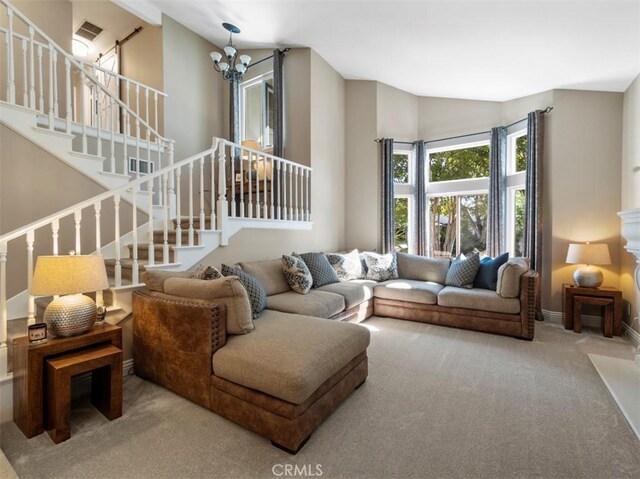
(70, 315)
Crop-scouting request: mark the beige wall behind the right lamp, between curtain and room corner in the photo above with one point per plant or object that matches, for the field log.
(582, 179)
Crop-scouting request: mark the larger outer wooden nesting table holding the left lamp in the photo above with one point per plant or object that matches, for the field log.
(29, 366)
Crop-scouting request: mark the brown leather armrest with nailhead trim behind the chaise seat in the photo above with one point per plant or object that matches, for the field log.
(174, 339)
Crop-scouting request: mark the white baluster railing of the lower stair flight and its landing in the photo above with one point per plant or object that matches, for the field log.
(224, 183)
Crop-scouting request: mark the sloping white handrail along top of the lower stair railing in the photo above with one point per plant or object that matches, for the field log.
(18, 232)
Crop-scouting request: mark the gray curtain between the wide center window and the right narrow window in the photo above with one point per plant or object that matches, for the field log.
(496, 235)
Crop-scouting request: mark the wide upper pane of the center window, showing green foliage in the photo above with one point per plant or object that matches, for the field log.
(459, 164)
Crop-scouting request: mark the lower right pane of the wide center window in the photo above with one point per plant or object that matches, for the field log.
(473, 223)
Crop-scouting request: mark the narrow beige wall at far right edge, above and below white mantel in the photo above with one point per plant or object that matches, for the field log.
(630, 191)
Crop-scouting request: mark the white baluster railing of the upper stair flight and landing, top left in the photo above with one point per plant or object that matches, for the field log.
(43, 77)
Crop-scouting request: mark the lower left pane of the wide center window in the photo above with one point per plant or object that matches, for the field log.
(442, 234)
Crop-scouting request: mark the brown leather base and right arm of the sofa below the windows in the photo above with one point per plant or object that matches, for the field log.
(518, 325)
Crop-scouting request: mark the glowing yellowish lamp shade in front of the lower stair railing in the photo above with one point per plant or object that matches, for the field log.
(57, 275)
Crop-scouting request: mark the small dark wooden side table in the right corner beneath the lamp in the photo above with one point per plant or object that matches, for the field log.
(574, 297)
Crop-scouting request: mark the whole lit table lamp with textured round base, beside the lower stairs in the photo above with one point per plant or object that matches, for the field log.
(71, 276)
